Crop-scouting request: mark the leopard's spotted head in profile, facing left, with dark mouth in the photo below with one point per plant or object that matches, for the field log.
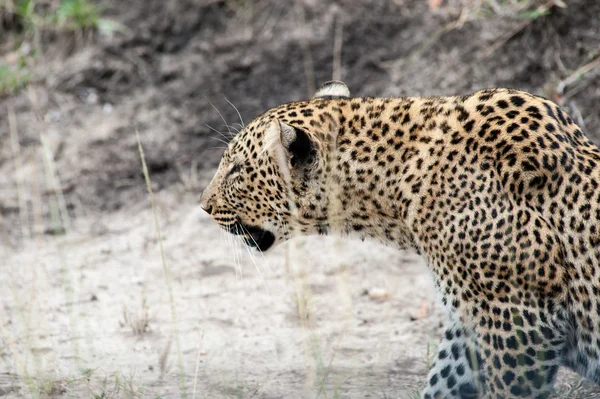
(272, 179)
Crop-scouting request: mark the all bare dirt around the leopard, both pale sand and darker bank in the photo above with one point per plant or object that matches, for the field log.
(88, 307)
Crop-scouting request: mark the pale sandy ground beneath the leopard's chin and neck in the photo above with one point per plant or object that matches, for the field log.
(317, 317)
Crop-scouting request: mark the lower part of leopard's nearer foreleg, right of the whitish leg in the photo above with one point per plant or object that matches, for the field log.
(521, 351)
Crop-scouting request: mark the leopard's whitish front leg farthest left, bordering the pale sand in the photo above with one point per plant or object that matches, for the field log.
(455, 370)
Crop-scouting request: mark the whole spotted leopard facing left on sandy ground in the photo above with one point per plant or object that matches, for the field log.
(498, 190)
